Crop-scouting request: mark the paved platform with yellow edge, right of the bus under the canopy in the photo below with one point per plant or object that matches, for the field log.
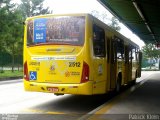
(139, 102)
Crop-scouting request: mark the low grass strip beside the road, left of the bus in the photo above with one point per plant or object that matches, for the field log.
(9, 73)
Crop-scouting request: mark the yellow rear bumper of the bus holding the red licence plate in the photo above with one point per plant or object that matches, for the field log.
(79, 89)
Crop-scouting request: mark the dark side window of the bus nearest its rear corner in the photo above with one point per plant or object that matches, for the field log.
(99, 41)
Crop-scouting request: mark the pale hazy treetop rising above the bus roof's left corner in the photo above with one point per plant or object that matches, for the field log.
(33, 7)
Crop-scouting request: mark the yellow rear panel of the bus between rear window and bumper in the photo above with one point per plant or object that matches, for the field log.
(55, 68)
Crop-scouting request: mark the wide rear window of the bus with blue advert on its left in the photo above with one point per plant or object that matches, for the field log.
(56, 30)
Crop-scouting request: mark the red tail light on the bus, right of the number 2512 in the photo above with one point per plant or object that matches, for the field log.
(85, 73)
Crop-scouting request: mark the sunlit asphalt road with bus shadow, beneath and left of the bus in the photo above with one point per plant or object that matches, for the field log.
(34, 105)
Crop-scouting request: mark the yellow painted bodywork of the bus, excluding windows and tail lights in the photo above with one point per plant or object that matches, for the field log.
(55, 63)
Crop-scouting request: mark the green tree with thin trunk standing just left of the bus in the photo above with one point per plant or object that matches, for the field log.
(14, 35)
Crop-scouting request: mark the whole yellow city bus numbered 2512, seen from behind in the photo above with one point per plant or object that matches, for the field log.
(77, 54)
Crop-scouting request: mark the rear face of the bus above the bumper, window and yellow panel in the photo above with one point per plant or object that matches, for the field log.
(55, 46)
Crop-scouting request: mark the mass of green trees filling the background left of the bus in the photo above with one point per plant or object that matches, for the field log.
(12, 17)
